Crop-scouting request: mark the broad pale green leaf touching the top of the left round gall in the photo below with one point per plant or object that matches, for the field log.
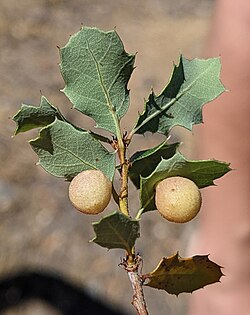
(65, 151)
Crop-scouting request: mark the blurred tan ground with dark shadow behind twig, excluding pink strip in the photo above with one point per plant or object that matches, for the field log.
(43, 240)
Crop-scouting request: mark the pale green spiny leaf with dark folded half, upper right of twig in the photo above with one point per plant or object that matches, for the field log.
(193, 83)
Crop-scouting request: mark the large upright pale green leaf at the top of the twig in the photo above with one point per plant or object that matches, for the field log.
(96, 70)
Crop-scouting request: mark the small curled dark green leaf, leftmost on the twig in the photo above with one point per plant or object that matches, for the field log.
(30, 117)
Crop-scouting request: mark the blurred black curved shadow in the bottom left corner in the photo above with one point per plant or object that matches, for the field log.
(62, 295)
